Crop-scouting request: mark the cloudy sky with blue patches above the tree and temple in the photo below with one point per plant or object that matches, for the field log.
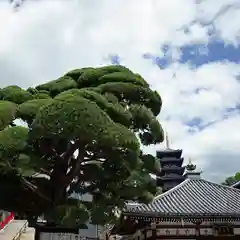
(187, 50)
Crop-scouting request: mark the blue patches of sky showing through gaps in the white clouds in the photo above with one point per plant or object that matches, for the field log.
(196, 55)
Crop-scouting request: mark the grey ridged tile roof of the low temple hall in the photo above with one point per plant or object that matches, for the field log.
(193, 197)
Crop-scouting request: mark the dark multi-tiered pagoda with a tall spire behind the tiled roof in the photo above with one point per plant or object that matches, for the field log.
(171, 167)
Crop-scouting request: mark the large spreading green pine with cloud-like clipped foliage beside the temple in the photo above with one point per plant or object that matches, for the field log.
(83, 134)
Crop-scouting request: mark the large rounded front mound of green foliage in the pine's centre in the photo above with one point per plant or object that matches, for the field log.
(71, 117)
